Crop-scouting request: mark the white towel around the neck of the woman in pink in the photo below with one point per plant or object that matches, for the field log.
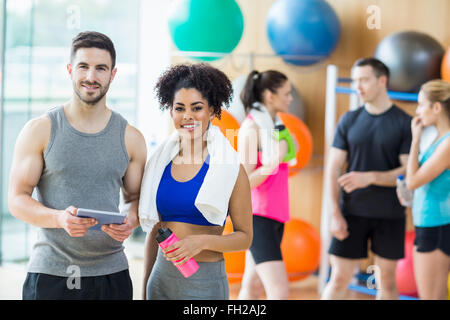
(269, 146)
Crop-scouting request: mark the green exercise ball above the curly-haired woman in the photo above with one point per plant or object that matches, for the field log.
(206, 25)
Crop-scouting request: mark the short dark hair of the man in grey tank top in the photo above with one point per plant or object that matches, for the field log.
(93, 39)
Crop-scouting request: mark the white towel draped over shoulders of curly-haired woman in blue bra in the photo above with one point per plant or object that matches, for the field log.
(214, 194)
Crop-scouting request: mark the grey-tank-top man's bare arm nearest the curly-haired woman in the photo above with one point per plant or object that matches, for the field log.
(137, 151)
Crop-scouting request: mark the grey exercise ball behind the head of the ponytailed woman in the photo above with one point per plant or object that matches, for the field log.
(236, 108)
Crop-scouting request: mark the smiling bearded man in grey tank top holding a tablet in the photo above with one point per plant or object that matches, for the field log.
(79, 155)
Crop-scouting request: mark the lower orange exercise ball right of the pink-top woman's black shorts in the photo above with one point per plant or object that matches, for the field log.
(300, 248)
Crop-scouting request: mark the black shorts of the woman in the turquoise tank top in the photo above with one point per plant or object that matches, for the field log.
(431, 238)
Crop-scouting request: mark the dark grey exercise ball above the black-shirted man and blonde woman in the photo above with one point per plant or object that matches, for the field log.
(412, 57)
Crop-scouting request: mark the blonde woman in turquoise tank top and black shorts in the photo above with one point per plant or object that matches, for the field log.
(428, 174)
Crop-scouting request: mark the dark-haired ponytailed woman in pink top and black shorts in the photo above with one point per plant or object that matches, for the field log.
(265, 93)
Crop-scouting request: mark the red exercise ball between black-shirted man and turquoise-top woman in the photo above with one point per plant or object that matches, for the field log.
(406, 283)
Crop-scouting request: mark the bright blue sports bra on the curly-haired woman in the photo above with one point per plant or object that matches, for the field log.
(175, 200)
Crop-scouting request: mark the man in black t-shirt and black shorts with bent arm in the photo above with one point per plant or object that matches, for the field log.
(373, 142)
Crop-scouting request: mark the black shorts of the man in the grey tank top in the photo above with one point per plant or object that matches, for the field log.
(41, 286)
